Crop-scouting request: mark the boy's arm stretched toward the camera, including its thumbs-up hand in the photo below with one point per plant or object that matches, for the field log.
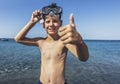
(73, 41)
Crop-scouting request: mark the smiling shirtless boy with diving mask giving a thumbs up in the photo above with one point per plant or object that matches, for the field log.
(55, 46)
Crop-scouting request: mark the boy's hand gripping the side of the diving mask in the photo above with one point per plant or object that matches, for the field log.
(36, 16)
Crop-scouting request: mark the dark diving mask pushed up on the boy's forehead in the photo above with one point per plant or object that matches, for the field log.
(51, 8)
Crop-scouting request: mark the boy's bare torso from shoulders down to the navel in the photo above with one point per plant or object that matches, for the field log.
(53, 55)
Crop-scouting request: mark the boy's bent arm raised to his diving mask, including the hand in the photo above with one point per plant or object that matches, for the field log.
(21, 36)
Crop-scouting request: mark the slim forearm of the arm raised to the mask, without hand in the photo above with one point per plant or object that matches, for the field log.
(21, 35)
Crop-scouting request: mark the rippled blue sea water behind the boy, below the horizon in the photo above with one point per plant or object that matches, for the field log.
(20, 64)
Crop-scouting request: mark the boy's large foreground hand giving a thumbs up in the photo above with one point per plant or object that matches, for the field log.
(69, 34)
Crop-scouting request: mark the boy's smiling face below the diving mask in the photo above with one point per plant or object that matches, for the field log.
(52, 25)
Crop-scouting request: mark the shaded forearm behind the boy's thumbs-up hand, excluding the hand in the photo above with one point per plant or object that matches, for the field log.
(78, 49)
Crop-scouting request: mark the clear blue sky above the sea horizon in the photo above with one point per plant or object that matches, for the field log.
(94, 19)
